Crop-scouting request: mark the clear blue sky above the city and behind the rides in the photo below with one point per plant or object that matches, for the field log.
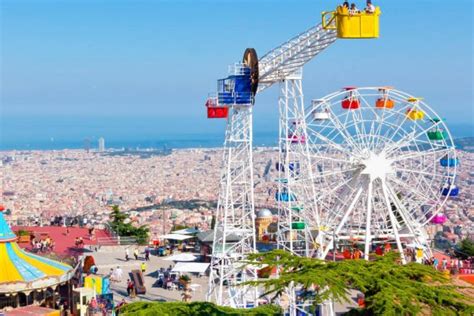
(143, 68)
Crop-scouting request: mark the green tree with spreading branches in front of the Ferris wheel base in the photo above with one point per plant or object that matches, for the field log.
(389, 287)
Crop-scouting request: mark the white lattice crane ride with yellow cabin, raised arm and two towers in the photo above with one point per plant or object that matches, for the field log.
(298, 216)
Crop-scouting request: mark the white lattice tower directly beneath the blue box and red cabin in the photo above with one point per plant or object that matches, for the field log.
(235, 216)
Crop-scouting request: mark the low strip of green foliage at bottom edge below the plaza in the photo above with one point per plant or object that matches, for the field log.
(194, 309)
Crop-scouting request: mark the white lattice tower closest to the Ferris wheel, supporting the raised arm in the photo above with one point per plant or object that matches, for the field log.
(299, 183)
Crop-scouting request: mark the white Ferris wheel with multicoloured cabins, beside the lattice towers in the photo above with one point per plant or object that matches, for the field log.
(384, 163)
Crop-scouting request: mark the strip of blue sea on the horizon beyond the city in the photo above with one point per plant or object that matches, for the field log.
(68, 133)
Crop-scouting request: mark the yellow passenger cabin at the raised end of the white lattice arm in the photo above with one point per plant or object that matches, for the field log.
(352, 24)
